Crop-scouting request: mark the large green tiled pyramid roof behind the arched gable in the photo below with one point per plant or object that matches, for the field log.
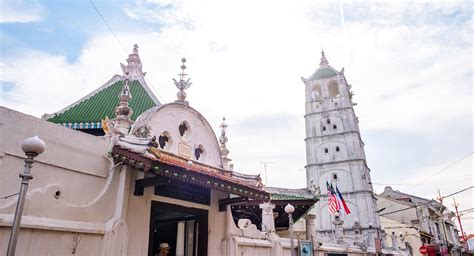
(103, 103)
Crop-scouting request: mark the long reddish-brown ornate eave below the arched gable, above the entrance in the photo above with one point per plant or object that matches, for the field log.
(162, 163)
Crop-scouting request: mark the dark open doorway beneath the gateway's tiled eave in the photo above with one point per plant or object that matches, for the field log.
(169, 222)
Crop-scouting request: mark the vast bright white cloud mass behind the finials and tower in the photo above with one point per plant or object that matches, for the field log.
(245, 61)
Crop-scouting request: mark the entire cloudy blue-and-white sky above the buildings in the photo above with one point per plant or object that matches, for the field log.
(409, 63)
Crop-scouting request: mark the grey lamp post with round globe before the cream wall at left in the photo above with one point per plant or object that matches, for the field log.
(32, 147)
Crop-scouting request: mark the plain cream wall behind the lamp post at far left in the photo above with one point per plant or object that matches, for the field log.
(75, 164)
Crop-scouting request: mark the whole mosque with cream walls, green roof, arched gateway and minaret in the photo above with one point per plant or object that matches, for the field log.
(126, 174)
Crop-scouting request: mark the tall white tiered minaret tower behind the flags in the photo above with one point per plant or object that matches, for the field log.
(335, 153)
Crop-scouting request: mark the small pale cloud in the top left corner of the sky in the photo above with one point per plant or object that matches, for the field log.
(20, 11)
